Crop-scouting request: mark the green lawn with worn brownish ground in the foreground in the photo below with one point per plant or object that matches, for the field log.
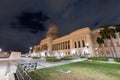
(82, 71)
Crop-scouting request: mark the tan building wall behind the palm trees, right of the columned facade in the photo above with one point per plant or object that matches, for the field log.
(110, 48)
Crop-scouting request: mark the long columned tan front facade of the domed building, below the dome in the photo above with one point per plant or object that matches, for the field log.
(74, 43)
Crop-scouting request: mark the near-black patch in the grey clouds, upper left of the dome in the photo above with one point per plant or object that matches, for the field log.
(32, 21)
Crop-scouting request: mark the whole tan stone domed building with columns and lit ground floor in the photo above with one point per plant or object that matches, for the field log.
(81, 42)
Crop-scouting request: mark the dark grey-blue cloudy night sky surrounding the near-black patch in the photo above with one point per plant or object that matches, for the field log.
(68, 14)
